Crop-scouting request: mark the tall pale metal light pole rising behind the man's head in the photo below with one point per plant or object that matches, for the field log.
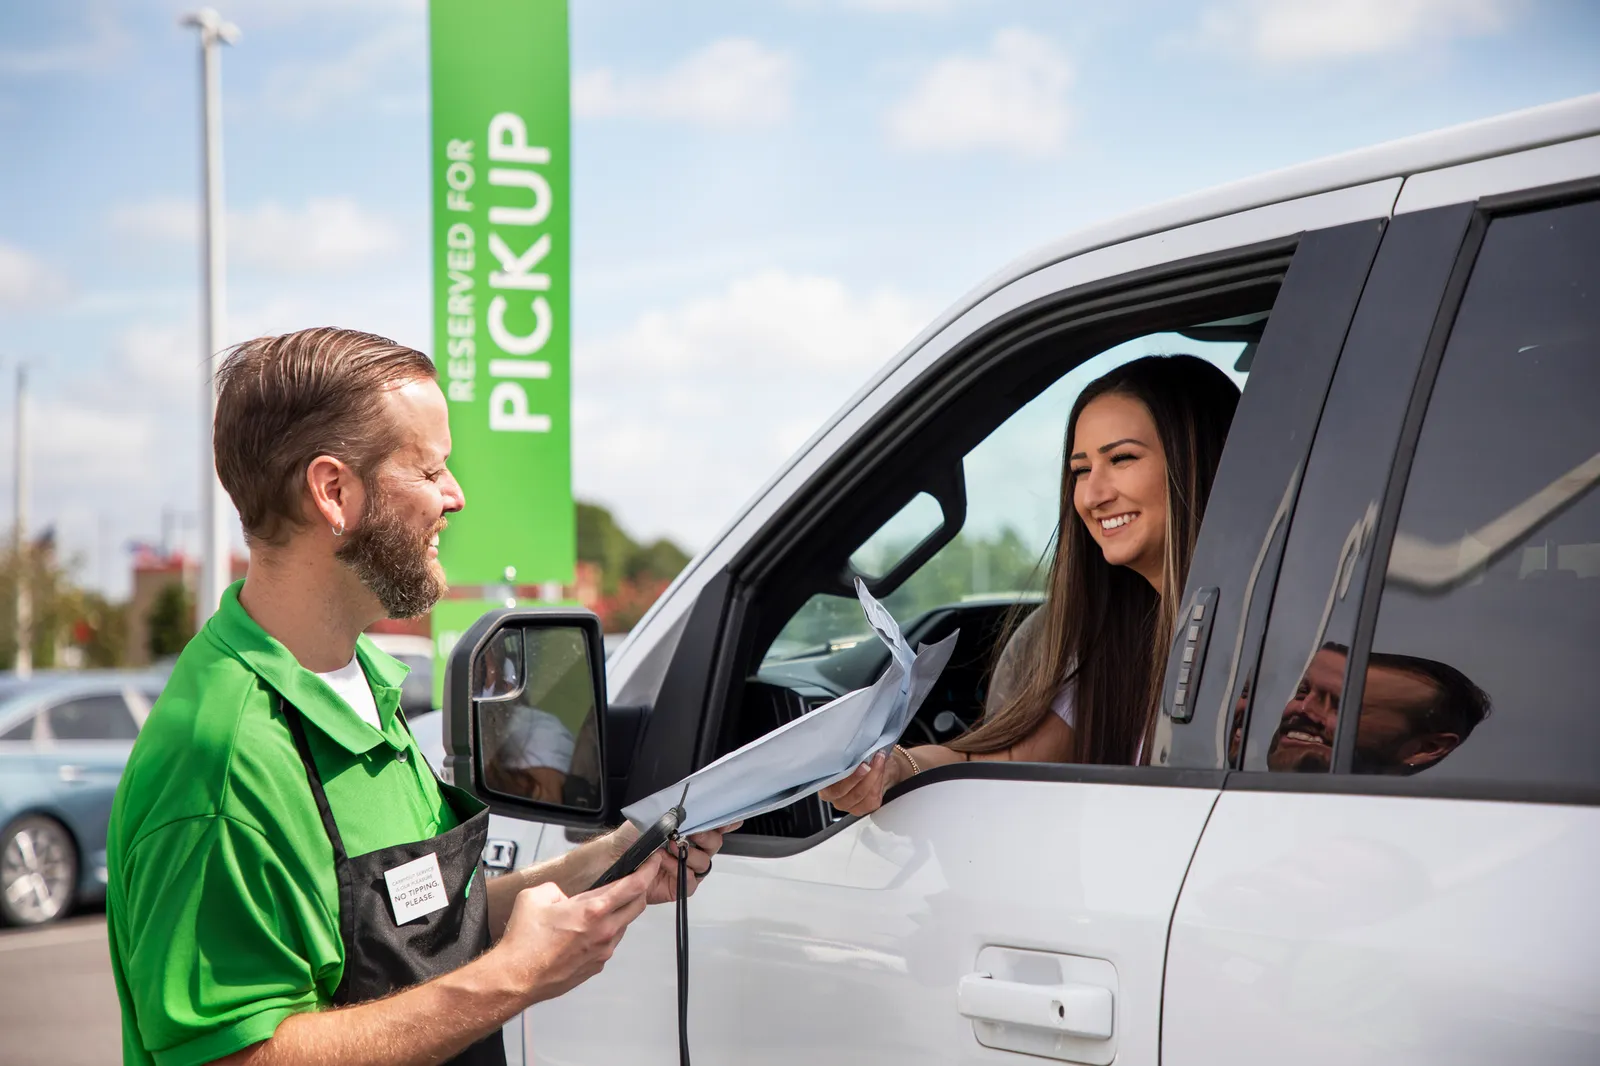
(215, 542)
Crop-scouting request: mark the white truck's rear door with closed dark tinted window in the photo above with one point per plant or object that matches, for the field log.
(1401, 870)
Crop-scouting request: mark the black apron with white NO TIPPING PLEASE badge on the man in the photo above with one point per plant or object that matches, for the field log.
(382, 958)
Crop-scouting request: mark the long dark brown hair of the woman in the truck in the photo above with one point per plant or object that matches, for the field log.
(1103, 628)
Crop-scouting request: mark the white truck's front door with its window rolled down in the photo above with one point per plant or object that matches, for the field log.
(983, 888)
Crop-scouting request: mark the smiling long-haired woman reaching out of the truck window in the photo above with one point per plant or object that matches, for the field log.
(1078, 679)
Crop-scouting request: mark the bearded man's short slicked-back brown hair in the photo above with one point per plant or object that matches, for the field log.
(284, 401)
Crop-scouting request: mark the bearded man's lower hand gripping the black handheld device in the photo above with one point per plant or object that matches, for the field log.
(554, 942)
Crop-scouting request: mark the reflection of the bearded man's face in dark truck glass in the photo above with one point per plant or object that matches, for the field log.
(1415, 711)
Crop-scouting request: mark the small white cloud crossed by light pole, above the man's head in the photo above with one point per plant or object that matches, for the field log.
(327, 234)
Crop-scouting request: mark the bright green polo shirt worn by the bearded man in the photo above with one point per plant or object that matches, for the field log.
(223, 907)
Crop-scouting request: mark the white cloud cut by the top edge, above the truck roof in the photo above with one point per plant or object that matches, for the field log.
(1292, 31)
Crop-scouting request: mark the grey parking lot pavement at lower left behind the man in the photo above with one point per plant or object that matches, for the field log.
(58, 1004)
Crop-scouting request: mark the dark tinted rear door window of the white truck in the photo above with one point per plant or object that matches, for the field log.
(1482, 662)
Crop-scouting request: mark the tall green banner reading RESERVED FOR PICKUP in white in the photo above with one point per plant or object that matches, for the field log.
(503, 289)
